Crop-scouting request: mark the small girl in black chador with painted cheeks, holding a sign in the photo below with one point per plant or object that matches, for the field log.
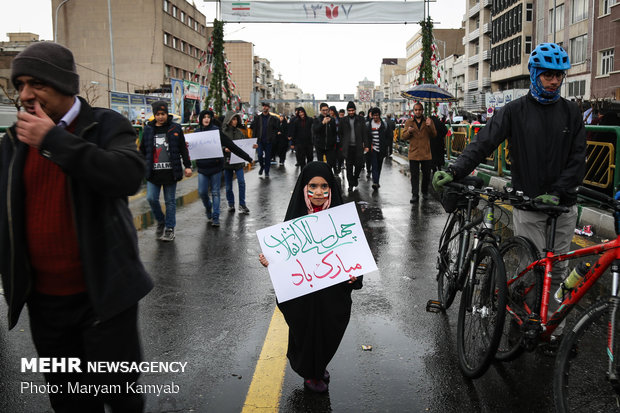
(316, 321)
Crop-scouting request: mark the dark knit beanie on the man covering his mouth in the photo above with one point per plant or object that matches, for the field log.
(50, 63)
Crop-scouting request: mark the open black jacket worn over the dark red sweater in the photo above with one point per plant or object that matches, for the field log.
(103, 167)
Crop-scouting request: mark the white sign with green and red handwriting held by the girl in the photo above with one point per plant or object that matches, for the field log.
(316, 251)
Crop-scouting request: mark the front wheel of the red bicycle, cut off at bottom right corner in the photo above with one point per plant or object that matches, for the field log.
(580, 379)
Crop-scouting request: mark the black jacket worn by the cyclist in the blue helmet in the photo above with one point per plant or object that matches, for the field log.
(547, 146)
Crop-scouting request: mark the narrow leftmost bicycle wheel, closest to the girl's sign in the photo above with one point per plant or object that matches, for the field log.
(447, 261)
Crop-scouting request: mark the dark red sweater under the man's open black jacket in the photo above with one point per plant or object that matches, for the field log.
(50, 228)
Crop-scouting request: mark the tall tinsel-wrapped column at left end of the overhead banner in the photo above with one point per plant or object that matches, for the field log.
(220, 93)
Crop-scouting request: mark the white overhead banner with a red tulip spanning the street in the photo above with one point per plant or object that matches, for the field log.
(375, 12)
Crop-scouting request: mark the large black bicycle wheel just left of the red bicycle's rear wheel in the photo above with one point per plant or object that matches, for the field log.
(482, 312)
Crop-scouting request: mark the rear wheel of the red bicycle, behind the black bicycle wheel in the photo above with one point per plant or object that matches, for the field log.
(523, 294)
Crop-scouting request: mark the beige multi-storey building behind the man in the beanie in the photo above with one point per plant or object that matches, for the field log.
(153, 42)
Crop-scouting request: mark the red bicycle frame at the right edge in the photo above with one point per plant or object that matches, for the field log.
(610, 251)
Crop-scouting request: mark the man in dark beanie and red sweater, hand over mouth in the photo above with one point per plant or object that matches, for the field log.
(69, 246)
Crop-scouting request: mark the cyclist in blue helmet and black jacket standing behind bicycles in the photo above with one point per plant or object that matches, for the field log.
(547, 145)
